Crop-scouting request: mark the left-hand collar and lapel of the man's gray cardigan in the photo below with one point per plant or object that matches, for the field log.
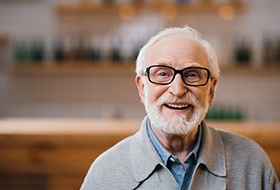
(147, 164)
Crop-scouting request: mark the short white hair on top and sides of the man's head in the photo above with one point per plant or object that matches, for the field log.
(188, 32)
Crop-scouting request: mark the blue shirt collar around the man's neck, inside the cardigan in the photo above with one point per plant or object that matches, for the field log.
(163, 153)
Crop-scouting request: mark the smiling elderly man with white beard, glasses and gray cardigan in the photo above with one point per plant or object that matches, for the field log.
(177, 73)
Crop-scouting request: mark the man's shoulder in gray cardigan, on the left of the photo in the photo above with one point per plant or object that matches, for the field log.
(112, 169)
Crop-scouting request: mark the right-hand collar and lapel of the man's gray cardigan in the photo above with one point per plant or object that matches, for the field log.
(210, 171)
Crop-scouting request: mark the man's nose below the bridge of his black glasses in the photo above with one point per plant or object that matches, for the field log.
(178, 87)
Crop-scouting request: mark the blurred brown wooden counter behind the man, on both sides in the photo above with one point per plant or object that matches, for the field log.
(56, 153)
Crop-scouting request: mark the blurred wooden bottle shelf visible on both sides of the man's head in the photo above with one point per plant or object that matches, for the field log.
(109, 67)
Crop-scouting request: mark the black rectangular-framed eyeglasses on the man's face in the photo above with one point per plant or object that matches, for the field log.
(192, 76)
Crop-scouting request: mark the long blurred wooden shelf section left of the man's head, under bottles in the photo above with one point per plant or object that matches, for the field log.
(115, 68)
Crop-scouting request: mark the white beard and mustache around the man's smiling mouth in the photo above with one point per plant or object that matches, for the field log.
(177, 124)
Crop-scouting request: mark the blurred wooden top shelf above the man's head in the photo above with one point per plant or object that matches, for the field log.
(185, 8)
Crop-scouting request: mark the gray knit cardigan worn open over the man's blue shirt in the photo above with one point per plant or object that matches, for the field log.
(225, 161)
